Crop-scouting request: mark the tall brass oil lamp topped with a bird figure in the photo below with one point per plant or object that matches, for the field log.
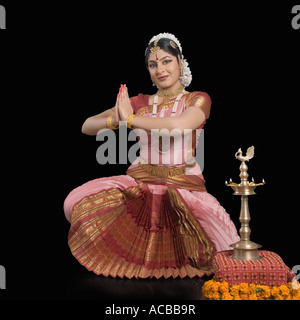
(244, 249)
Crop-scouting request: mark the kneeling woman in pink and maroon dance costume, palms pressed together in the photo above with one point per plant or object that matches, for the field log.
(157, 220)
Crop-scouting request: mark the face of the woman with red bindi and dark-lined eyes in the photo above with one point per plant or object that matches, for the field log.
(164, 70)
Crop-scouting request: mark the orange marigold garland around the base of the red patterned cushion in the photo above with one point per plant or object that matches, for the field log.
(215, 290)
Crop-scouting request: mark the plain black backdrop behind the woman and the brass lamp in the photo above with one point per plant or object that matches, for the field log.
(61, 63)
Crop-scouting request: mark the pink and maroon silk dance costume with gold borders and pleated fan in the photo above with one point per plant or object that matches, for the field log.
(157, 220)
